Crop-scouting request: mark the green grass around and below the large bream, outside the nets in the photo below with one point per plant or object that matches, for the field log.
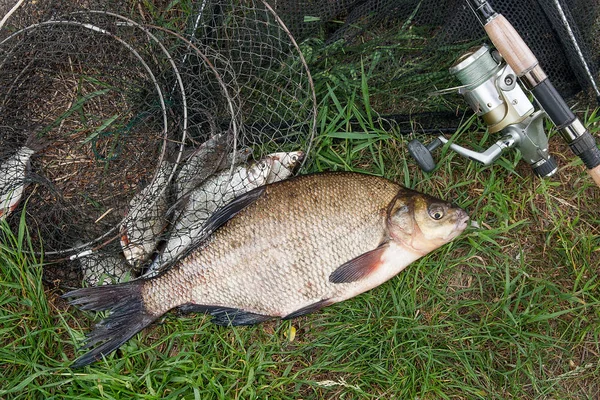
(509, 310)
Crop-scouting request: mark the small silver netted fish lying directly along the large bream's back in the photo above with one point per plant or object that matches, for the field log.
(202, 202)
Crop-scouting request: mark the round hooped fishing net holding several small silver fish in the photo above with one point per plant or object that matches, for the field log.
(125, 125)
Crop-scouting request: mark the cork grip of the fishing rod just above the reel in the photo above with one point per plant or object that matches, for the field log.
(510, 44)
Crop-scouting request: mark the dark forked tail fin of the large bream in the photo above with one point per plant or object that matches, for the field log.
(128, 316)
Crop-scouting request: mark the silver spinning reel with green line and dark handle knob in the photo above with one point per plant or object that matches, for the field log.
(492, 90)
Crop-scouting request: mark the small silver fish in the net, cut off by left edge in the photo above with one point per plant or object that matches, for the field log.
(13, 174)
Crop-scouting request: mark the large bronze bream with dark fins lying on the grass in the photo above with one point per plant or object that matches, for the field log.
(282, 250)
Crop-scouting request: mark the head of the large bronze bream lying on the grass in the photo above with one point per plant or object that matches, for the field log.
(423, 223)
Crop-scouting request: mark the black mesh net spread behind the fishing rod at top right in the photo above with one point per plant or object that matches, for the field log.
(411, 44)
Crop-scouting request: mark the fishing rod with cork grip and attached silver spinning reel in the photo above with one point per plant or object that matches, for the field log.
(490, 86)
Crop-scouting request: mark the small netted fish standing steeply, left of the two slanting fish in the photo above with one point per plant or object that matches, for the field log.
(146, 218)
